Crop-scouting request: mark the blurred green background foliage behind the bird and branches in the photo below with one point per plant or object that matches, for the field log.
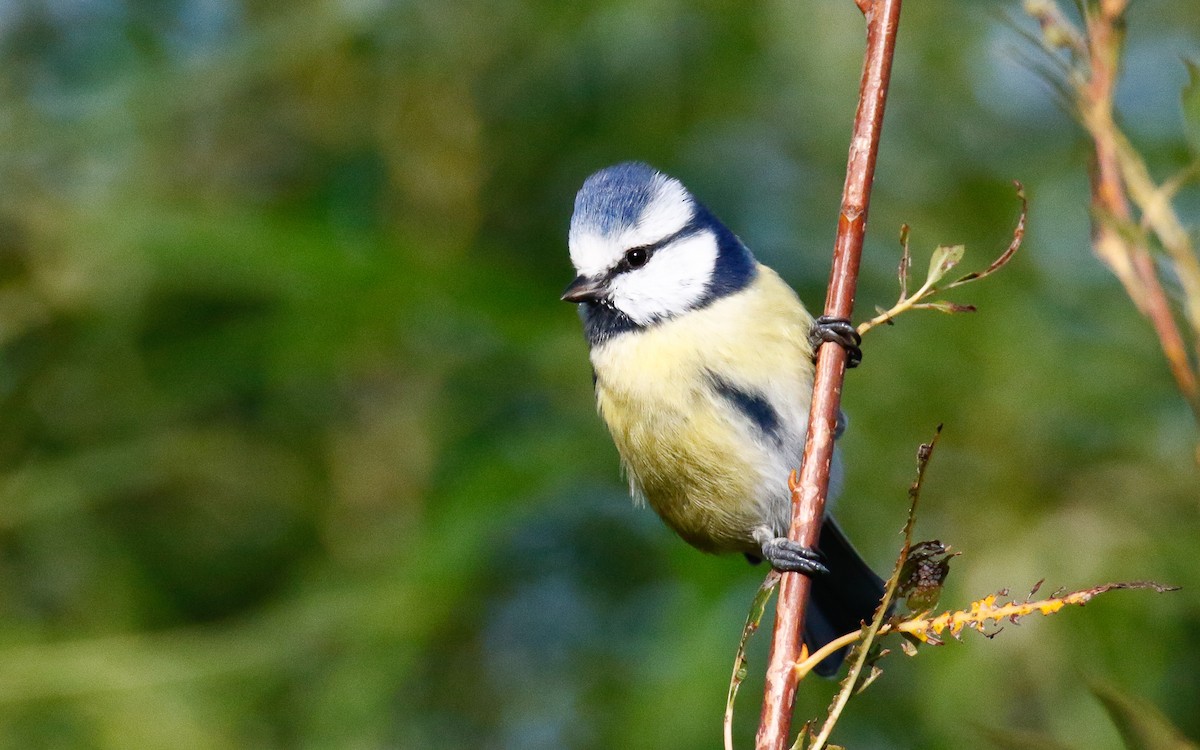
(298, 446)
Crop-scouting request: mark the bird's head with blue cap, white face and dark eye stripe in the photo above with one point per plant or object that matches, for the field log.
(646, 251)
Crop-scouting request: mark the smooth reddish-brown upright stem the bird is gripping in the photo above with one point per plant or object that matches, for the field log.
(809, 494)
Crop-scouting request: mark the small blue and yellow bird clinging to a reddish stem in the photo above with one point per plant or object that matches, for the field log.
(703, 363)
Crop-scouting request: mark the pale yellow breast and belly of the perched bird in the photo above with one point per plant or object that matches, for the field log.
(694, 459)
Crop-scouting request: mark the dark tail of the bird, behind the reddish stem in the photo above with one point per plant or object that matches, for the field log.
(843, 601)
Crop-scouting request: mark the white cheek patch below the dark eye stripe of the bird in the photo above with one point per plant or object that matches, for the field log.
(675, 280)
